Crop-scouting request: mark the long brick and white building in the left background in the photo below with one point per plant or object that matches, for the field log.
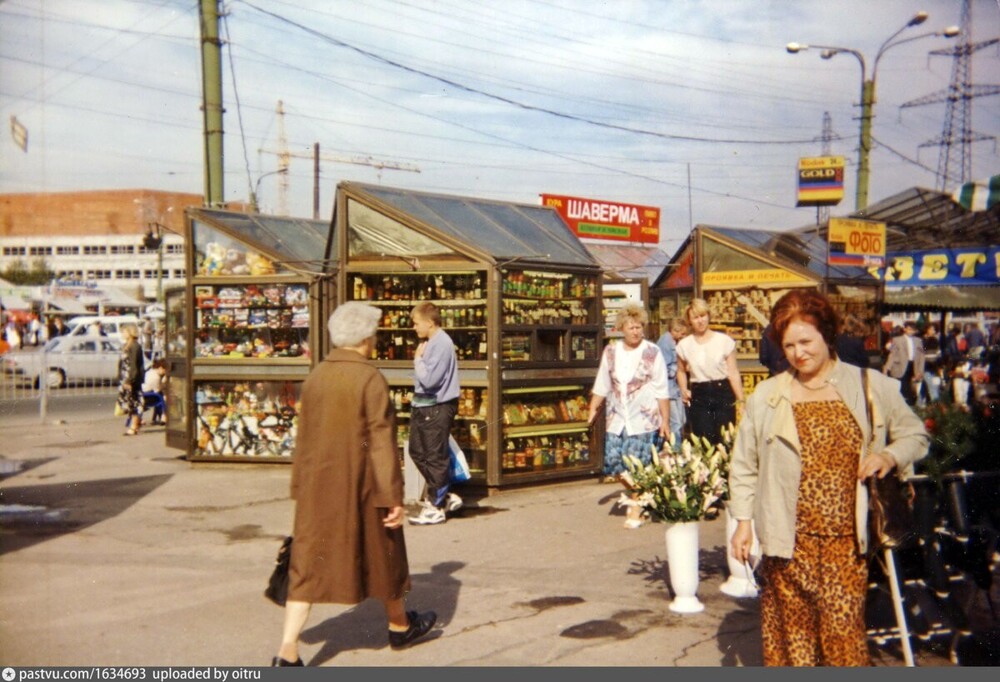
(96, 237)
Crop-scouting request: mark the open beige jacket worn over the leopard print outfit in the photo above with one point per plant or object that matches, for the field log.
(766, 464)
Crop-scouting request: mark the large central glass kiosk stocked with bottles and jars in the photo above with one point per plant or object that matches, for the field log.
(520, 297)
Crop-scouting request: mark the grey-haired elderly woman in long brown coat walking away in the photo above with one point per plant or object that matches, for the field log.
(348, 489)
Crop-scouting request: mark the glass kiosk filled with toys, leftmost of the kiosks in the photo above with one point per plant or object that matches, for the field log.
(252, 314)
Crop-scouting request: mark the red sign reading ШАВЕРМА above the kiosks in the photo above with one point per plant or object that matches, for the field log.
(597, 219)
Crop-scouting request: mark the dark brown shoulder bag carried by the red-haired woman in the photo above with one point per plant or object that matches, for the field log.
(890, 513)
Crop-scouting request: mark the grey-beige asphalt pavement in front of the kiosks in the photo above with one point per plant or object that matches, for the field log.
(117, 551)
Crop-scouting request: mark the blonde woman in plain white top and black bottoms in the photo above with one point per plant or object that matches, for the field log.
(707, 375)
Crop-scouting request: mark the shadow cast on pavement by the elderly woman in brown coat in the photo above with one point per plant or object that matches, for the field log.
(365, 627)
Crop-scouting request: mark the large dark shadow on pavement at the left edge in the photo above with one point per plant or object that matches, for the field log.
(33, 514)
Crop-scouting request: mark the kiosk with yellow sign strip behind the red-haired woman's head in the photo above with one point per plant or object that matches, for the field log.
(741, 273)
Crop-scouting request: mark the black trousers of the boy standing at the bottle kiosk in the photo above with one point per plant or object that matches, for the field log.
(429, 431)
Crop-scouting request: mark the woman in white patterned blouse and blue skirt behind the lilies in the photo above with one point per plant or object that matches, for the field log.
(632, 382)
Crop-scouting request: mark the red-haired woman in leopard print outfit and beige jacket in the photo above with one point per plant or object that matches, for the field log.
(797, 474)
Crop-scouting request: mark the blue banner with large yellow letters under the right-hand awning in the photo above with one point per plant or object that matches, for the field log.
(967, 266)
